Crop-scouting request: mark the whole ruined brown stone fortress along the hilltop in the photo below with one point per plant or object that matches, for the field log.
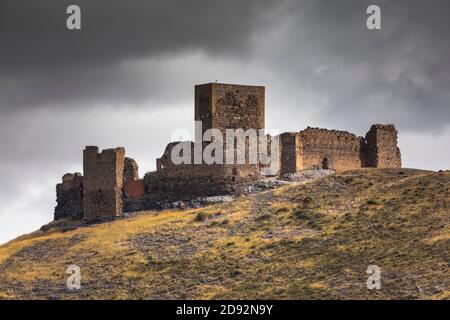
(110, 185)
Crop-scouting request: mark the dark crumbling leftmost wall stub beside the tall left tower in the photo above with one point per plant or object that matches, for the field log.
(69, 197)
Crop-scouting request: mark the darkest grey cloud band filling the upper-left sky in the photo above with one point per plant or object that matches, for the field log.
(33, 33)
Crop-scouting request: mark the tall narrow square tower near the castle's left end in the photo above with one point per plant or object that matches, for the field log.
(103, 182)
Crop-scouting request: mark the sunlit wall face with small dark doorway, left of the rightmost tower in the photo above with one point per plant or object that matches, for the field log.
(330, 149)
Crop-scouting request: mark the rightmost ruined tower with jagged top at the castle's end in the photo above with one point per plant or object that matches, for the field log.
(382, 150)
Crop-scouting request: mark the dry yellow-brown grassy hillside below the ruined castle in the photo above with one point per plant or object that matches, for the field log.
(296, 242)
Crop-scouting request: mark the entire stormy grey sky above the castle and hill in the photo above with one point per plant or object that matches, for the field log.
(127, 77)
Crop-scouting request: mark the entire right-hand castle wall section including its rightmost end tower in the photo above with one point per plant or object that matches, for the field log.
(315, 148)
